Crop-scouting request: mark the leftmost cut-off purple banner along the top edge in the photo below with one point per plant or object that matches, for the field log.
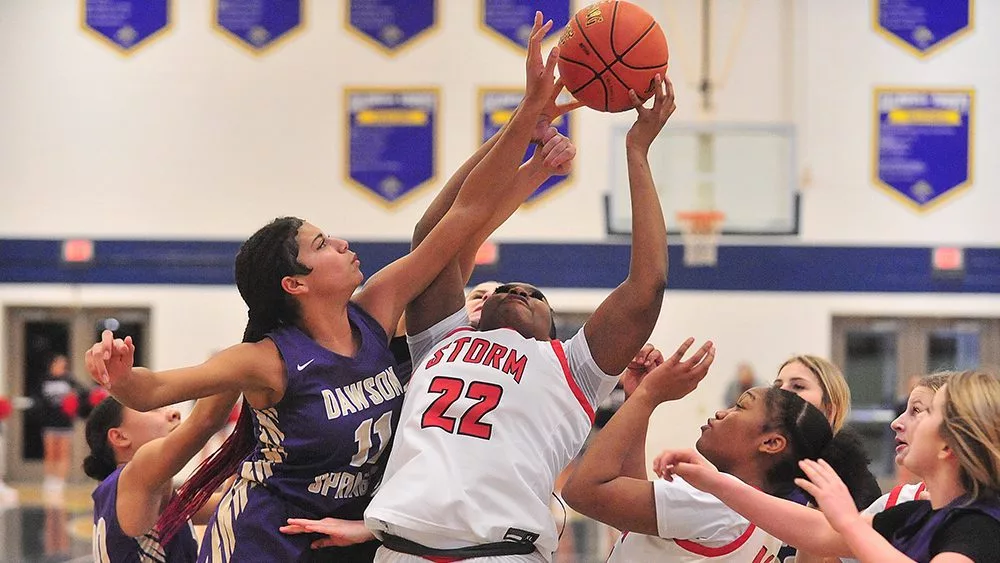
(126, 24)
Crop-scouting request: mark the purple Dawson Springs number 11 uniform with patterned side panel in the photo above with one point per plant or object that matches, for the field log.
(320, 451)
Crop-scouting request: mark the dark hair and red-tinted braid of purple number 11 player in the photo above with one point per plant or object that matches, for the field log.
(264, 259)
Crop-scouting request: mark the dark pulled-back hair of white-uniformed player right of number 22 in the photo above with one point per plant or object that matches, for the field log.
(810, 436)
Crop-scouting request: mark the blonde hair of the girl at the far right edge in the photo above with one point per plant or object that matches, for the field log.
(971, 428)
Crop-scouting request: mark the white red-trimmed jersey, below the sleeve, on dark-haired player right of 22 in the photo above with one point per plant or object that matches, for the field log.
(753, 546)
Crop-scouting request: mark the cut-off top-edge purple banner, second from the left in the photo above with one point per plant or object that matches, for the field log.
(257, 25)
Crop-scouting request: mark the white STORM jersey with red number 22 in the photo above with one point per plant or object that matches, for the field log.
(489, 420)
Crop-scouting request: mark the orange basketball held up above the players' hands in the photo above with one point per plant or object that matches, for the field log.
(609, 48)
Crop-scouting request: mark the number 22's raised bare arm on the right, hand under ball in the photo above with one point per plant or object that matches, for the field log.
(624, 321)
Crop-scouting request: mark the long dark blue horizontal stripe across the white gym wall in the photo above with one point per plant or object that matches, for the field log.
(740, 268)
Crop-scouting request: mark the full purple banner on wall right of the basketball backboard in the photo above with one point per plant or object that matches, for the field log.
(923, 143)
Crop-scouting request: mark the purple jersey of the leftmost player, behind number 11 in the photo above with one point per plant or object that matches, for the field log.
(111, 544)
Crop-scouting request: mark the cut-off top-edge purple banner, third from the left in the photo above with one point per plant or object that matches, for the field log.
(391, 24)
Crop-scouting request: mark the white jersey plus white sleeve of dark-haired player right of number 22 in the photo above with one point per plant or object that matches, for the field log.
(695, 526)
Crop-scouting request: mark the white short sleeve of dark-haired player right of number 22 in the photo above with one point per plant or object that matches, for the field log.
(685, 513)
